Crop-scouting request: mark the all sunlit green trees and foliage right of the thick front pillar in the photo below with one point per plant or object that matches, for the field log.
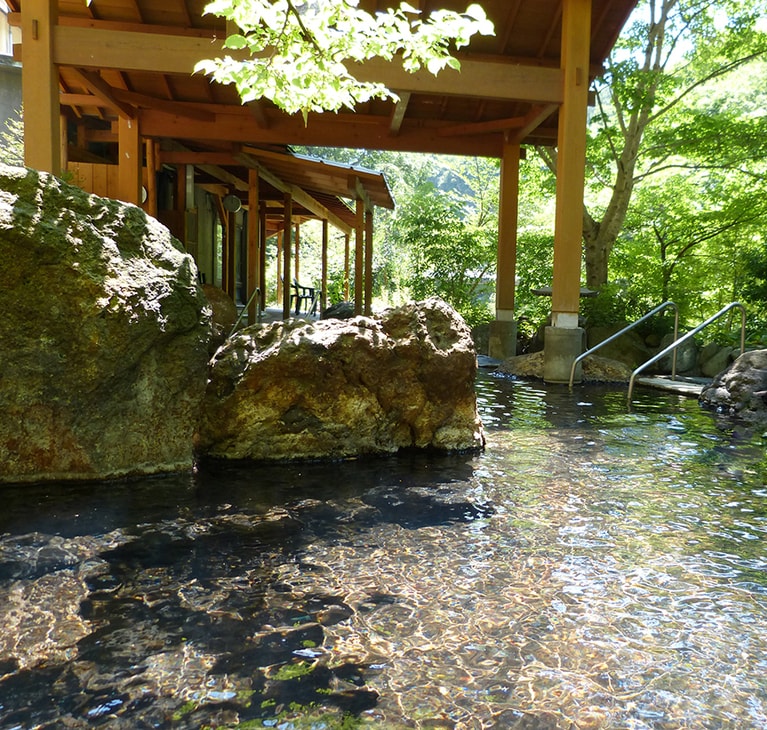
(676, 171)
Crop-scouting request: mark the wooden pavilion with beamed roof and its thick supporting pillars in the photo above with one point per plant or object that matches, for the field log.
(113, 78)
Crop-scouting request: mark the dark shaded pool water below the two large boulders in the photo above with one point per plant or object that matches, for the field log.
(185, 570)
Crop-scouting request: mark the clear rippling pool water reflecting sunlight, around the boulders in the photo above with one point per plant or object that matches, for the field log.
(594, 568)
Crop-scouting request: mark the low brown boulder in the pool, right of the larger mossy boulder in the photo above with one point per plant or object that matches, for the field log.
(340, 388)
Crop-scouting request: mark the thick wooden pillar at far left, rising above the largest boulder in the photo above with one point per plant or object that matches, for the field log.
(40, 87)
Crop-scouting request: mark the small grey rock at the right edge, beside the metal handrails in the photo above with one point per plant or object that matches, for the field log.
(741, 389)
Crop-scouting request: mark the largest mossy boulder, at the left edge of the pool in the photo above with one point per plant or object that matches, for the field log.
(103, 333)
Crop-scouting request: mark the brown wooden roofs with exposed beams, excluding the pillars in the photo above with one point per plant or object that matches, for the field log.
(134, 59)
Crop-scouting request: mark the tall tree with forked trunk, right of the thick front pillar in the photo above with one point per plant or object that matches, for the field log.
(670, 56)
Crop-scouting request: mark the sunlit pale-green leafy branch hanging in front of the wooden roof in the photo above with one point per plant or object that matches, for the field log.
(301, 53)
